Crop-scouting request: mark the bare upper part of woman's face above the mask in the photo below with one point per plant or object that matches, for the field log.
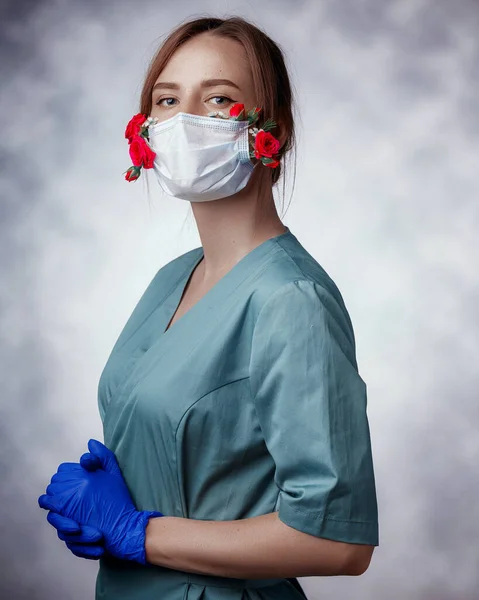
(205, 74)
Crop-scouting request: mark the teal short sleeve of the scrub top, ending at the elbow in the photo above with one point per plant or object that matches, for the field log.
(311, 405)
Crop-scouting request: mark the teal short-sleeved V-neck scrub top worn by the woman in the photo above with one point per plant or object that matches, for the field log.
(250, 403)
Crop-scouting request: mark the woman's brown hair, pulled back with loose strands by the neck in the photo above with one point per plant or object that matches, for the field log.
(270, 76)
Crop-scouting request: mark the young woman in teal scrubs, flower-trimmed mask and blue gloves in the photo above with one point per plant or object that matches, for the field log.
(237, 450)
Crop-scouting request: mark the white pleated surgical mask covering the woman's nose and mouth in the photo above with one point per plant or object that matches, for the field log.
(201, 158)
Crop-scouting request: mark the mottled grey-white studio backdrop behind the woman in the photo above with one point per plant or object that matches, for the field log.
(386, 199)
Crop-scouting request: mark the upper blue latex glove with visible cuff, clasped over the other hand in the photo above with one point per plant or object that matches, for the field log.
(100, 499)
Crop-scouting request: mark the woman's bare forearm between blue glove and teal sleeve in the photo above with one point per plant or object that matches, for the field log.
(260, 547)
